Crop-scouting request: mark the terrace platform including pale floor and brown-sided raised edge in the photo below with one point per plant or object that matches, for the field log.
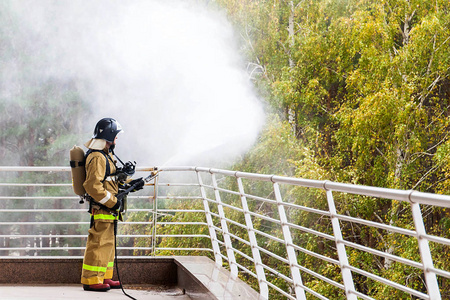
(180, 277)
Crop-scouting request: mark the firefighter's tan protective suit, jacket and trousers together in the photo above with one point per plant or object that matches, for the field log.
(98, 260)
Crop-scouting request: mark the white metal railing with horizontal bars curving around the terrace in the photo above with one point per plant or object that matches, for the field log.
(289, 237)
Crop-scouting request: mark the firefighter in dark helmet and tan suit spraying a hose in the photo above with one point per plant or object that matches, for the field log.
(102, 186)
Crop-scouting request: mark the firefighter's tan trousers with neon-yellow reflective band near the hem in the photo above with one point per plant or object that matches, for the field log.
(98, 262)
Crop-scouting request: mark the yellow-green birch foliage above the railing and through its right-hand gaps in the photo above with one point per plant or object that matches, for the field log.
(363, 86)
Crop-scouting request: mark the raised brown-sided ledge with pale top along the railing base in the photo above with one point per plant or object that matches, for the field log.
(199, 277)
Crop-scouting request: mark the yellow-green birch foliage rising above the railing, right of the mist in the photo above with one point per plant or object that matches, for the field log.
(362, 83)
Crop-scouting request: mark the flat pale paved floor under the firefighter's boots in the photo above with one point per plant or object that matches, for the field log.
(76, 292)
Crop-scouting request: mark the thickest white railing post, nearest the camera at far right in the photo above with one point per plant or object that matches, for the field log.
(425, 253)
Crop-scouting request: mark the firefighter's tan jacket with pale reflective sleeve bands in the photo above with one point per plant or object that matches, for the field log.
(103, 191)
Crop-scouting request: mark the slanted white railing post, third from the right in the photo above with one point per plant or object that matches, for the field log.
(292, 257)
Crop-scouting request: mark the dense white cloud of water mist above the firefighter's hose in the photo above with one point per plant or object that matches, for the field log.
(168, 71)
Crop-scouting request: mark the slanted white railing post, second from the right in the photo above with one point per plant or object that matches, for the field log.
(342, 254)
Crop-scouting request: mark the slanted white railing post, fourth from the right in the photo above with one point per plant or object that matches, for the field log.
(263, 287)
